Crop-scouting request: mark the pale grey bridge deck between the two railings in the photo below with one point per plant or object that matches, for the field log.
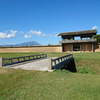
(39, 64)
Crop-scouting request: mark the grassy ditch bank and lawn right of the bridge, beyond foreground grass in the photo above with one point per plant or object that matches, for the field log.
(88, 62)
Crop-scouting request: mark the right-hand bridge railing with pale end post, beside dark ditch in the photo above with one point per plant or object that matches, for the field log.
(59, 62)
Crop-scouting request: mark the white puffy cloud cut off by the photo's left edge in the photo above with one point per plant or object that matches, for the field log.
(10, 35)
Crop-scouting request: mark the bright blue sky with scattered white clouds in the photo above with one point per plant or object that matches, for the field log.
(42, 20)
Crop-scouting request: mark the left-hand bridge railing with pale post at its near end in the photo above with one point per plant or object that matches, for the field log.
(9, 61)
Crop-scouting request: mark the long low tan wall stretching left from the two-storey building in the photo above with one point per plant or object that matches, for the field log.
(32, 49)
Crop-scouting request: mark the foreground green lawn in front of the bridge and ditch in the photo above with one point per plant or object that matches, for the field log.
(58, 85)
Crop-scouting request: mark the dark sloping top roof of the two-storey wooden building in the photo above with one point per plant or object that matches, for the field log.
(78, 33)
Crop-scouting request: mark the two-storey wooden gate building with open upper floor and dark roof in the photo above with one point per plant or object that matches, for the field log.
(81, 41)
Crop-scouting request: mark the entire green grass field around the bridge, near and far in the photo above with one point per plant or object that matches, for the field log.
(57, 85)
